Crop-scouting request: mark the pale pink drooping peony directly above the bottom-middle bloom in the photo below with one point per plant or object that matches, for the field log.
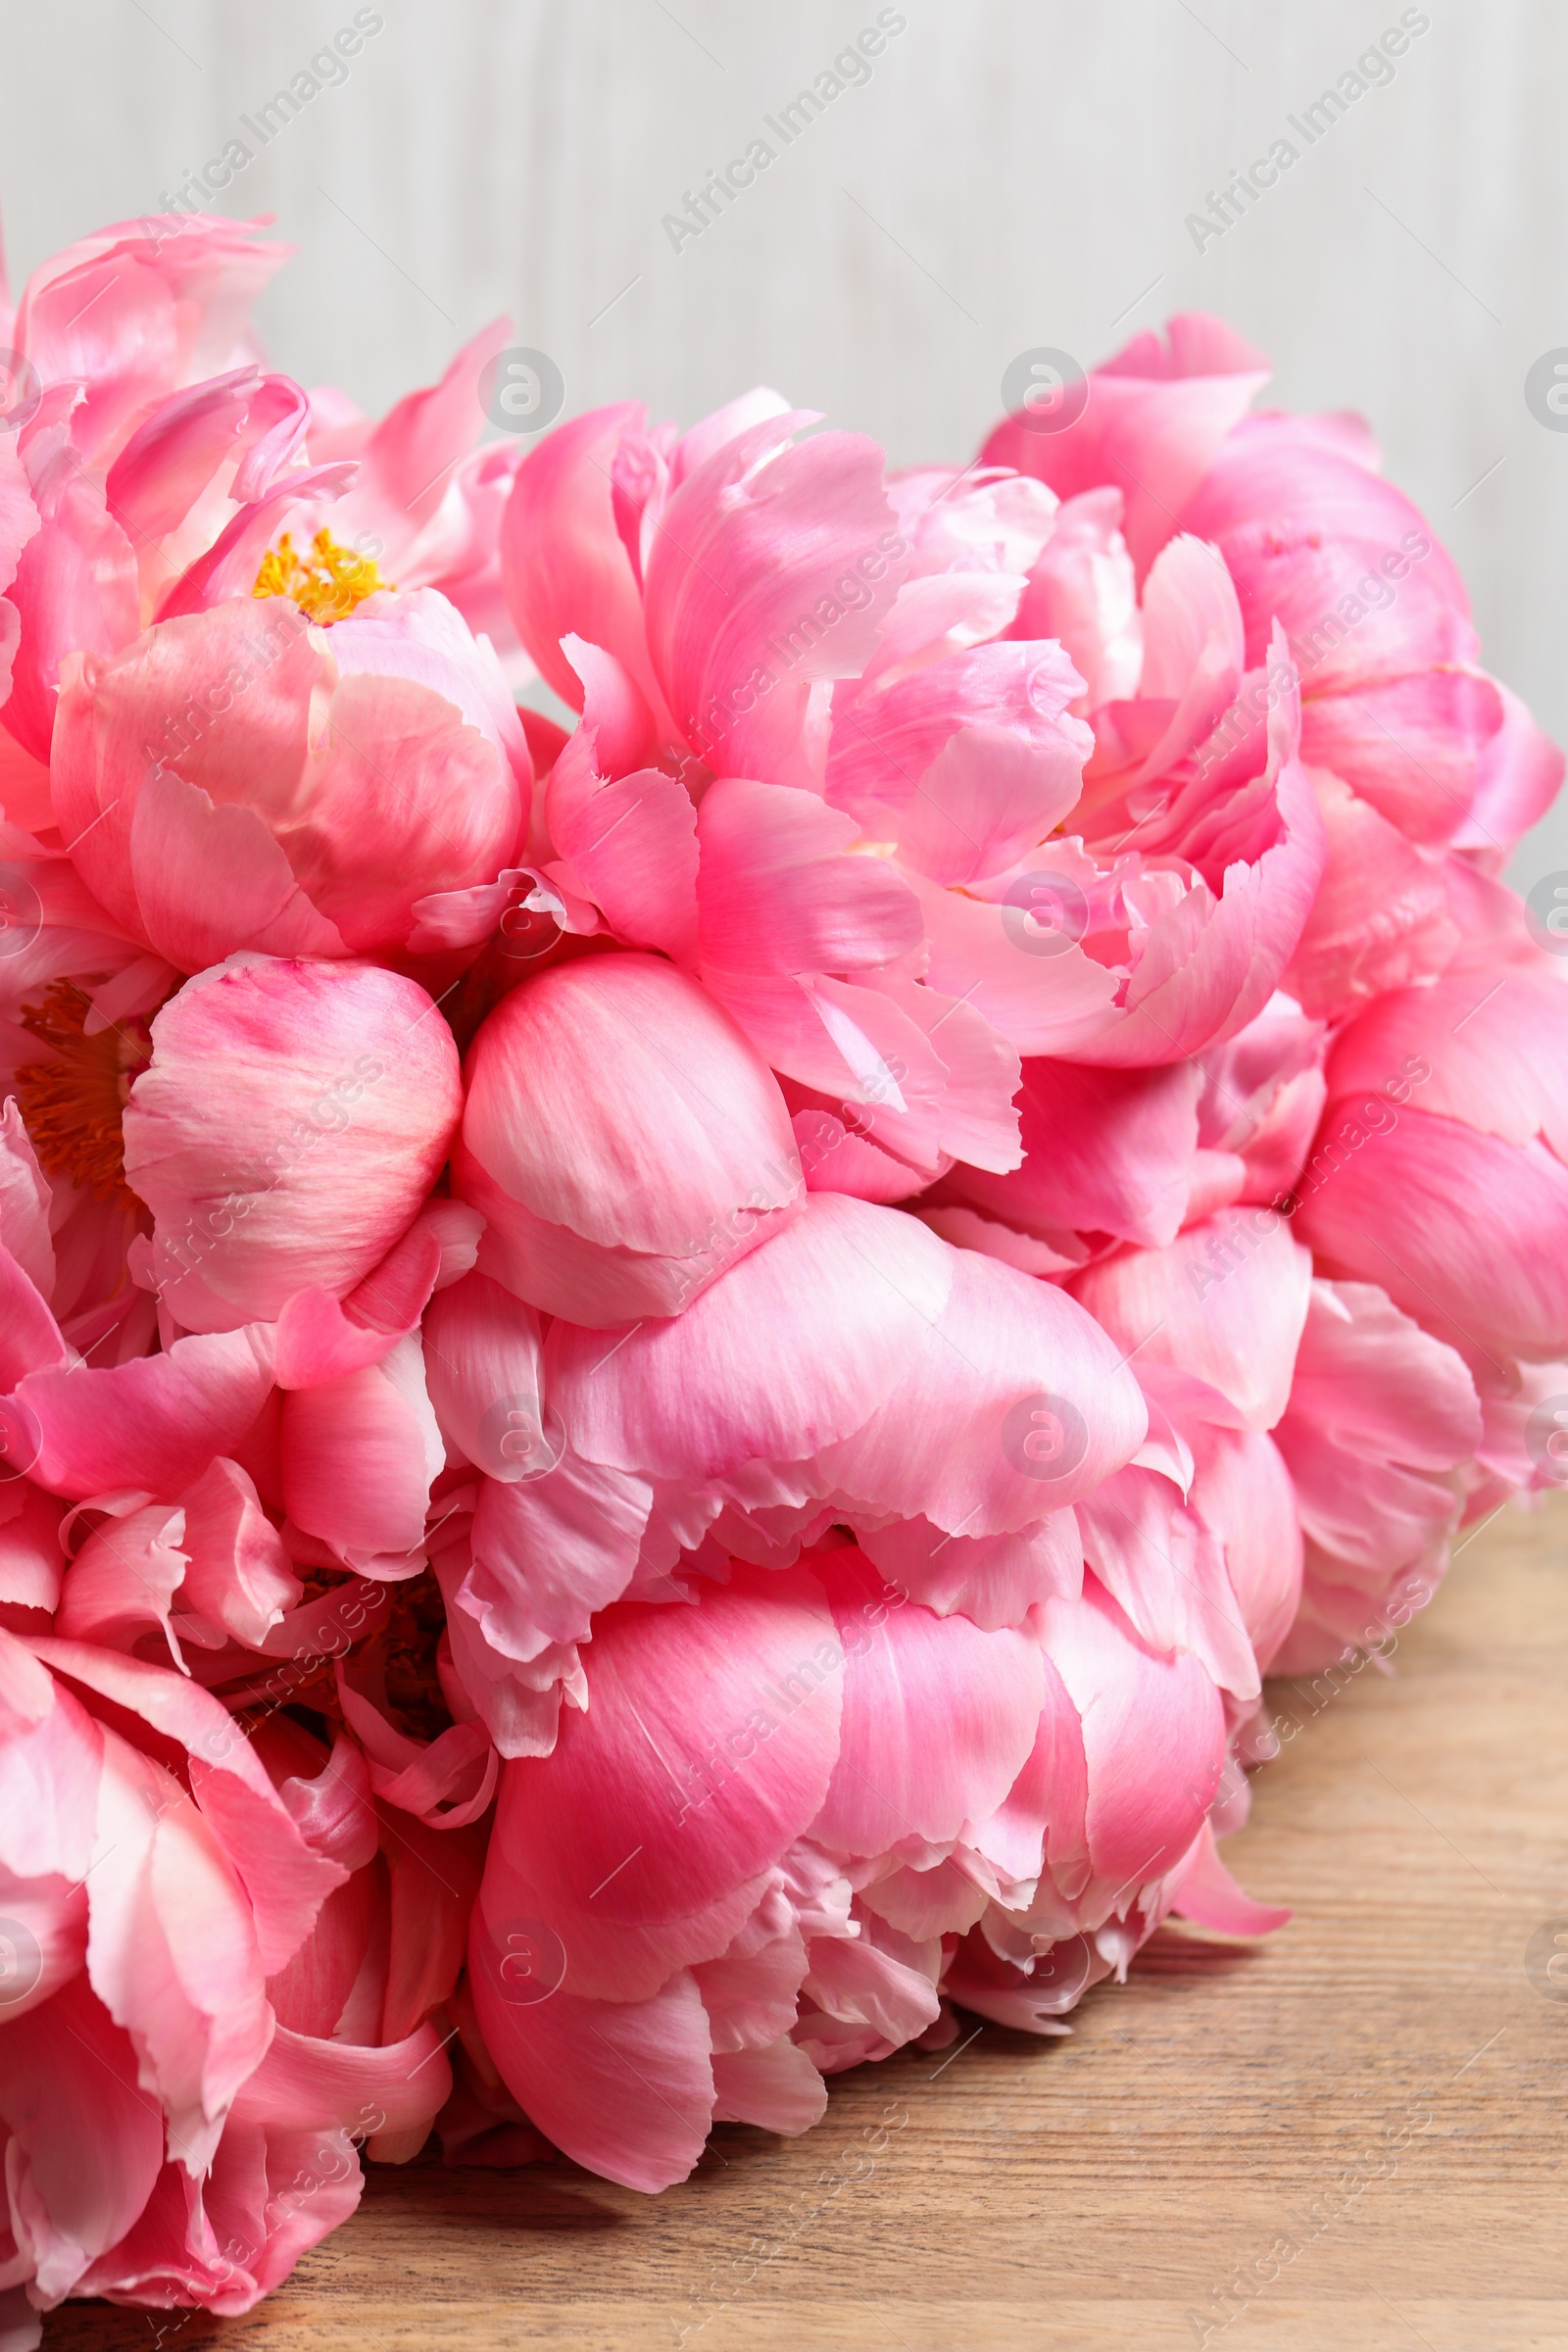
(942, 1405)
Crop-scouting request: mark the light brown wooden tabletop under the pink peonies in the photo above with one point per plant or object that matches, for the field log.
(1379, 2087)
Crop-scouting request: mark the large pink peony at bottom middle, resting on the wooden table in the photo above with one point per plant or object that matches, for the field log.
(721, 1904)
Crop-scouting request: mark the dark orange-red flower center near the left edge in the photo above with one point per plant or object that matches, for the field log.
(72, 1102)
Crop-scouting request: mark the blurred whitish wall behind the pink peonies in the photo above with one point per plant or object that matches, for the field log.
(1012, 173)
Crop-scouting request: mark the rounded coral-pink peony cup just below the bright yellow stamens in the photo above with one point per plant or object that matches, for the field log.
(241, 780)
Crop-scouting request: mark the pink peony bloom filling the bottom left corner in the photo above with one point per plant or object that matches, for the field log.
(199, 2033)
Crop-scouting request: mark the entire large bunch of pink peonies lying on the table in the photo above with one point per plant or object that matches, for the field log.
(669, 1384)
